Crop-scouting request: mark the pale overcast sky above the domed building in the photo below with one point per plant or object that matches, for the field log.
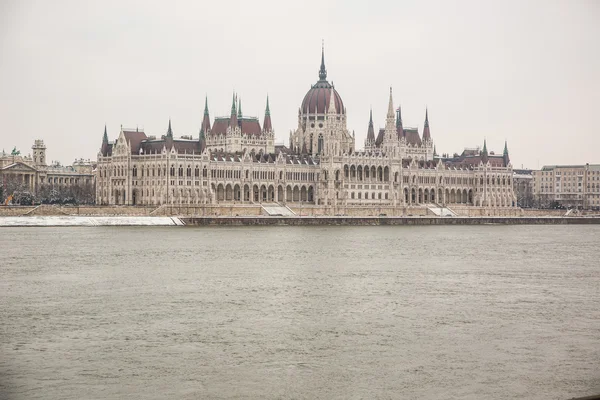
(527, 72)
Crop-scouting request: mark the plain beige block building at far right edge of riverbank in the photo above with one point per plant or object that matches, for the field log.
(567, 186)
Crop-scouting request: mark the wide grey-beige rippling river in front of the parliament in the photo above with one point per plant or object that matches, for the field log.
(456, 312)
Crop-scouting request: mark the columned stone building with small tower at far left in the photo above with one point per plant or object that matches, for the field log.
(30, 180)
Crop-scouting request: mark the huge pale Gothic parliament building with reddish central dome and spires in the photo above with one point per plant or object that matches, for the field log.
(235, 160)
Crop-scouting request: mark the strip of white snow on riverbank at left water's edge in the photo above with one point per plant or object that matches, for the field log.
(88, 221)
